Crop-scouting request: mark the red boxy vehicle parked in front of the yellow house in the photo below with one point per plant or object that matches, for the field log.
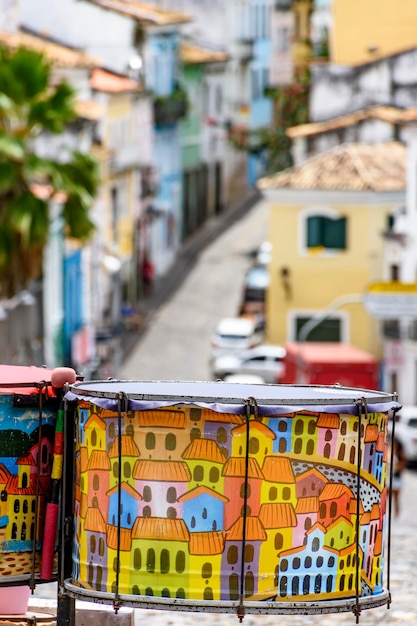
(325, 363)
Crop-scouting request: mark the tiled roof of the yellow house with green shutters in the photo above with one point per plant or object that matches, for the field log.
(348, 167)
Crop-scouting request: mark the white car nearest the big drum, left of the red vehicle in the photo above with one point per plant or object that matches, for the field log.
(266, 361)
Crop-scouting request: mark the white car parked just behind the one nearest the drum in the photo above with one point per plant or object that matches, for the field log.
(234, 335)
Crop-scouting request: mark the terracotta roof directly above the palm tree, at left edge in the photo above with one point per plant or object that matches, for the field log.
(56, 54)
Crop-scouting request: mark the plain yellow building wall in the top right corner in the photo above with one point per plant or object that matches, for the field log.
(365, 30)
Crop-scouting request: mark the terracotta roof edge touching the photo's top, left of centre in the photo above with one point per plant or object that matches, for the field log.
(143, 12)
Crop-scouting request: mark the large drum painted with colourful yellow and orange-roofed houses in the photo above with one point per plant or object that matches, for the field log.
(221, 497)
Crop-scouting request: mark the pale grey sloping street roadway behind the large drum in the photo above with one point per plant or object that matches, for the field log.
(177, 342)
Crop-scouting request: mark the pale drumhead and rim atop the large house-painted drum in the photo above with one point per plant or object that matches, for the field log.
(340, 393)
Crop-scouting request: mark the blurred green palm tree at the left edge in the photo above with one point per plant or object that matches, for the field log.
(30, 104)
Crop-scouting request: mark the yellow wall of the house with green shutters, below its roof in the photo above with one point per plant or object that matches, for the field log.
(317, 279)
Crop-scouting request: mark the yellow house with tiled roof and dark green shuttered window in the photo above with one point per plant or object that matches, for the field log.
(327, 217)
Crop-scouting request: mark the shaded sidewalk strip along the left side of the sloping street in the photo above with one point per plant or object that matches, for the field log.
(166, 285)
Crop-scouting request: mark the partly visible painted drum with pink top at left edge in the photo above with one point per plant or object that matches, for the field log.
(28, 413)
